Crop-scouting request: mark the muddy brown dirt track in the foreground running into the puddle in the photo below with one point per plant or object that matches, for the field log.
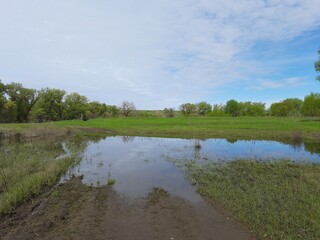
(75, 211)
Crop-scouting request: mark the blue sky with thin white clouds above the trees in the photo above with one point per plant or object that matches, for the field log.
(163, 53)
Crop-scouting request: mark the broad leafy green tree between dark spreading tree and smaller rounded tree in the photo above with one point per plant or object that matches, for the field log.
(50, 106)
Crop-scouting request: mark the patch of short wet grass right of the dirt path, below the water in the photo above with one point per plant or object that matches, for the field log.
(277, 200)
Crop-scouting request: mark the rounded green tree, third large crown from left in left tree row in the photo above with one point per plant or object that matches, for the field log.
(75, 106)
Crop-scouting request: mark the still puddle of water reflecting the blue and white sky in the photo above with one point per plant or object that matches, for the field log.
(140, 164)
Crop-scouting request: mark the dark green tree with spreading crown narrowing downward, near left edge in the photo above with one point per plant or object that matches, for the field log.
(24, 99)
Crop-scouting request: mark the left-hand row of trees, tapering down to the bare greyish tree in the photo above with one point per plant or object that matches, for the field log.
(20, 104)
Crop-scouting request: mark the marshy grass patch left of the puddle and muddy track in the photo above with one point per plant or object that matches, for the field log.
(26, 168)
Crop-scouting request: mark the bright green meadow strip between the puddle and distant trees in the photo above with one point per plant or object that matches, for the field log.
(227, 127)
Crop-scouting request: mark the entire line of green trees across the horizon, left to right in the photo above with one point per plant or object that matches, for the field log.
(20, 104)
